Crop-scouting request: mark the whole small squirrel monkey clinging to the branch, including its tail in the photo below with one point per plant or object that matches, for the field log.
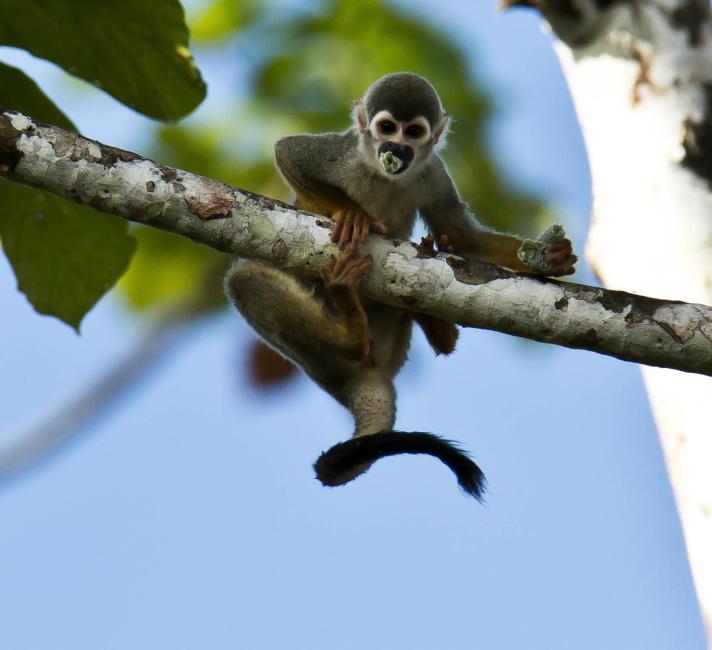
(377, 176)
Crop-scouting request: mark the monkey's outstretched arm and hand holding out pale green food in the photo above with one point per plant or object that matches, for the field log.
(448, 215)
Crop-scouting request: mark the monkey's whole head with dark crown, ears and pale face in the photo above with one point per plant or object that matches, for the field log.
(400, 121)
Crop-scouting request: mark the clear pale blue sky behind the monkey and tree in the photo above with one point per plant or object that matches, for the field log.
(189, 516)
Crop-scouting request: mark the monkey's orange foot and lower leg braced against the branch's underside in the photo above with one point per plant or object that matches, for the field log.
(341, 278)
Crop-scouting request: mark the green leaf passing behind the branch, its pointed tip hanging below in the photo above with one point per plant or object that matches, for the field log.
(65, 256)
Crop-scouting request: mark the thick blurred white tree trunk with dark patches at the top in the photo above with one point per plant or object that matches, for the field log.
(640, 72)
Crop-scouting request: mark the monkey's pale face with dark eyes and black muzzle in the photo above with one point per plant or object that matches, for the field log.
(396, 147)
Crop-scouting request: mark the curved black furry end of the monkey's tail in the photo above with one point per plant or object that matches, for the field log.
(346, 460)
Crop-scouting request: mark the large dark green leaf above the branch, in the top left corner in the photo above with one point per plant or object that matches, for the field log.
(137, 51)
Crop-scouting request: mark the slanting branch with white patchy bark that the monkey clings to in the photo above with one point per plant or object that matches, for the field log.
(630, 327)
